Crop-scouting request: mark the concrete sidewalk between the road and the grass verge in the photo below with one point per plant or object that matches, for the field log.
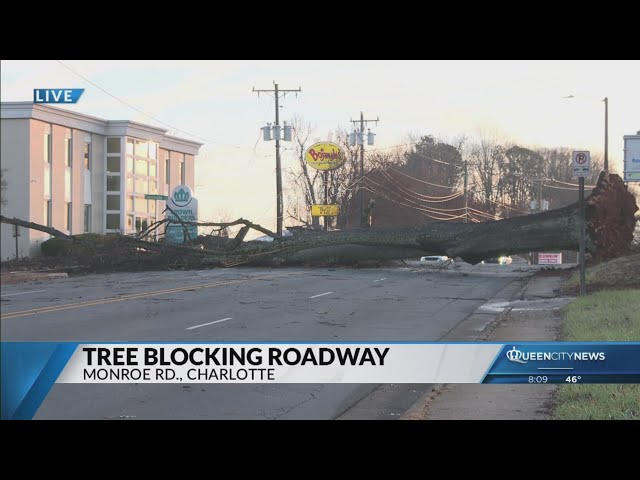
(533, 317)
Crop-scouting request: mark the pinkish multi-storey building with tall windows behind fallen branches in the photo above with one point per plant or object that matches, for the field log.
(82, 174)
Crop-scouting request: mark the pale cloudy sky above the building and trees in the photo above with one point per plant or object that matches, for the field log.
(211, 101)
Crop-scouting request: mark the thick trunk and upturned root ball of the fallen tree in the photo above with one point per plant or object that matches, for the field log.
(610, 221)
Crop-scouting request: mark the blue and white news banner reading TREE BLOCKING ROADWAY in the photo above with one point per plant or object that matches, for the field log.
(29, 369)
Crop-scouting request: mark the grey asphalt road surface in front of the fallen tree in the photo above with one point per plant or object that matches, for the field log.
(238, 305)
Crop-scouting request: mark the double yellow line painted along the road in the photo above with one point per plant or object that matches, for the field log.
(135, 296)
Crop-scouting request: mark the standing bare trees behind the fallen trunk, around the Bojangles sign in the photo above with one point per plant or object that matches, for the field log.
(423, 180)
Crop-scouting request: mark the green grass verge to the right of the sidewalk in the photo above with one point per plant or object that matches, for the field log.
(612, 315)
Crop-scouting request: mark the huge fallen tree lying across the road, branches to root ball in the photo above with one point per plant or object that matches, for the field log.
(610, 221)
